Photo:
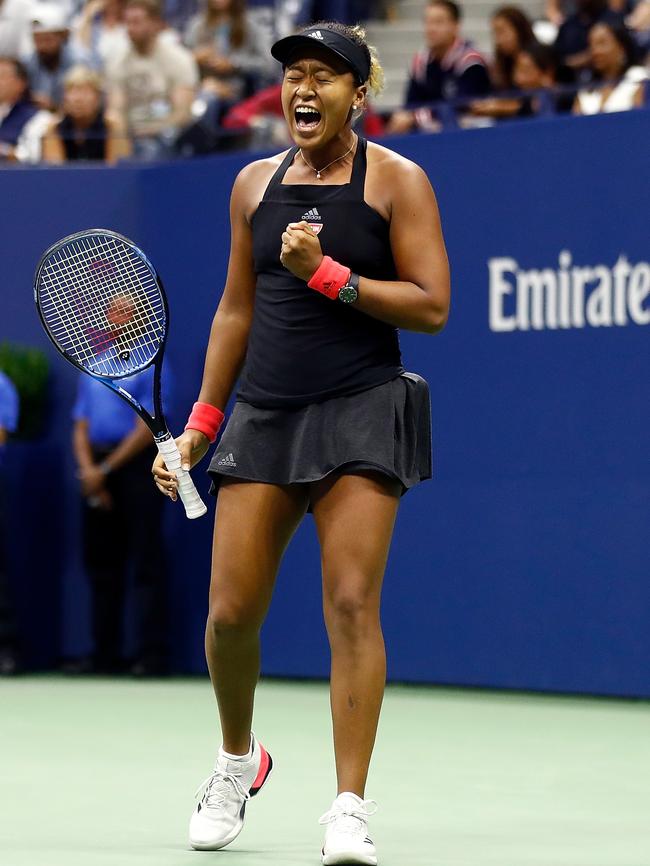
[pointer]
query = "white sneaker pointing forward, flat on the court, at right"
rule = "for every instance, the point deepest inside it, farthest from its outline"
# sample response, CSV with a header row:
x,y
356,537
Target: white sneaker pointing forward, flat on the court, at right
x,y
346,837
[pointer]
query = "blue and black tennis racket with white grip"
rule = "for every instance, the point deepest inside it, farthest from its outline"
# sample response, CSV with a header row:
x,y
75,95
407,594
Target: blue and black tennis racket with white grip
x,y
103,306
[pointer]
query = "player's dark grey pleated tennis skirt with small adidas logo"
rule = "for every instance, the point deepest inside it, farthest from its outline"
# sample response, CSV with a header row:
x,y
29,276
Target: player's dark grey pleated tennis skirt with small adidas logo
x,y
386,428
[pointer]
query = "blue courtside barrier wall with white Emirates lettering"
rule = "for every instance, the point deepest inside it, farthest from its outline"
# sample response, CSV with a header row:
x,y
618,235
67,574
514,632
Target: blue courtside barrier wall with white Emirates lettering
x,y
524,563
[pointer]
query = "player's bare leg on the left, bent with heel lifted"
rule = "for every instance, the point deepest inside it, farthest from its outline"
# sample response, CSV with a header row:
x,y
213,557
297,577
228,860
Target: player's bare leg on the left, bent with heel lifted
x,y
253,525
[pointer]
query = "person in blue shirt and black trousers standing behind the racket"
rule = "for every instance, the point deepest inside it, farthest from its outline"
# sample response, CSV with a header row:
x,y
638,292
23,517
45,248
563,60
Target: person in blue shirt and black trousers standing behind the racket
x,y
122,514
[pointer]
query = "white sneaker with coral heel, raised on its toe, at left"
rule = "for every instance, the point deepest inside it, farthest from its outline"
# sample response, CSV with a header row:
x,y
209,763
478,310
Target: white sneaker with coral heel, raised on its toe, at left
x,y
219,816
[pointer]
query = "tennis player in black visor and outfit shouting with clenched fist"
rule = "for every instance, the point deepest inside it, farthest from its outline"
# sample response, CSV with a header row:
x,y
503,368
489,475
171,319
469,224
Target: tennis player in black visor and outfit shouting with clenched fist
x,y
335,245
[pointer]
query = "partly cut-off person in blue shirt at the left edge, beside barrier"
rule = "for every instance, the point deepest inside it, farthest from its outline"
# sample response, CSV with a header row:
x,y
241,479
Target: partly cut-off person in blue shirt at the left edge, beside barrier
x,y
9,650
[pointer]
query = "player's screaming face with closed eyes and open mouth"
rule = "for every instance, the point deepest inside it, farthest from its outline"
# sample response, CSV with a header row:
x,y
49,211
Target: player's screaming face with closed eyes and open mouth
x,y
318,92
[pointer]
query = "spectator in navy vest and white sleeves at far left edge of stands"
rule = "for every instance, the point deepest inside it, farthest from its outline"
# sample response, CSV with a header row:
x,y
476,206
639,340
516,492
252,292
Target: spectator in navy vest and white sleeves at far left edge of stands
x,y
22,123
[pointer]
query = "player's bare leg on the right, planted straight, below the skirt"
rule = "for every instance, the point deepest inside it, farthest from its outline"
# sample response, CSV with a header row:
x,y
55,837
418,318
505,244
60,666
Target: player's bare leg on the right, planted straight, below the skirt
x,y
355,515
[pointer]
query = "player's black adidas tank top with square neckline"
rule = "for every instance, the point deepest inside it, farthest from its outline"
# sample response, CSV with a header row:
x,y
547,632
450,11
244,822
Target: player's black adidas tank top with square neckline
x,y
303,347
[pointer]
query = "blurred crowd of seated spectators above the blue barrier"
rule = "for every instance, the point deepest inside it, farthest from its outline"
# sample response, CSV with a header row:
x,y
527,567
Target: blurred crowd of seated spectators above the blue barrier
x,y
149,79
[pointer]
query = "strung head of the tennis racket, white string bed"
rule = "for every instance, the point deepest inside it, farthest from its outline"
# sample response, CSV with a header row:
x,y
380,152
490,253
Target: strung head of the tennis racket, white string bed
x,y
82,285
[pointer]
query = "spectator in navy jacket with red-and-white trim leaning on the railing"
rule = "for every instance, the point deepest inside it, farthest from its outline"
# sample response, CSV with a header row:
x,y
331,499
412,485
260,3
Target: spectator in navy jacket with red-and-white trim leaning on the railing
x,y
449,68
